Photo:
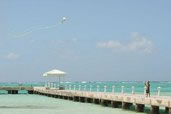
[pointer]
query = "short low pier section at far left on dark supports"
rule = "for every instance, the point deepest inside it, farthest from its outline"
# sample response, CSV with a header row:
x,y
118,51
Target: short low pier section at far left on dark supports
x,y
14,90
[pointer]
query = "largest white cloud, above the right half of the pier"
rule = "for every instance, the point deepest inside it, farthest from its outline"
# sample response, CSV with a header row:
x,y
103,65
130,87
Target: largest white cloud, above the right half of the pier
x,y
139,43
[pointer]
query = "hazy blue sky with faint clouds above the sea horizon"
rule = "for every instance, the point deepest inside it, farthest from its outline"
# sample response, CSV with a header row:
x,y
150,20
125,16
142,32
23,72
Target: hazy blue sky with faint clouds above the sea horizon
x,y
113,40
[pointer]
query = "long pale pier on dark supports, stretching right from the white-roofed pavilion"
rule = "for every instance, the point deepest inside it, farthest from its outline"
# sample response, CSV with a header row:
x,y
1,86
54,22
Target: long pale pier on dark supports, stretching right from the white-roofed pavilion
x,y
114,100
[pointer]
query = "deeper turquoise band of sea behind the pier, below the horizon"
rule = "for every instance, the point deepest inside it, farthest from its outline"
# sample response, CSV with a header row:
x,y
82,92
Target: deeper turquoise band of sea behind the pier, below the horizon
x,y
165,87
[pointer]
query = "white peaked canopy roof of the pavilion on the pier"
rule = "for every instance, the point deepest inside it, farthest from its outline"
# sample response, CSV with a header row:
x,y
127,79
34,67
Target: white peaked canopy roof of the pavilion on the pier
x,y
54,73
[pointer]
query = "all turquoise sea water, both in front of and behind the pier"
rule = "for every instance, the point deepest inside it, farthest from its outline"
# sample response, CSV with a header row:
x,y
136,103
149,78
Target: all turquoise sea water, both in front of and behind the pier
x,y
35,104
